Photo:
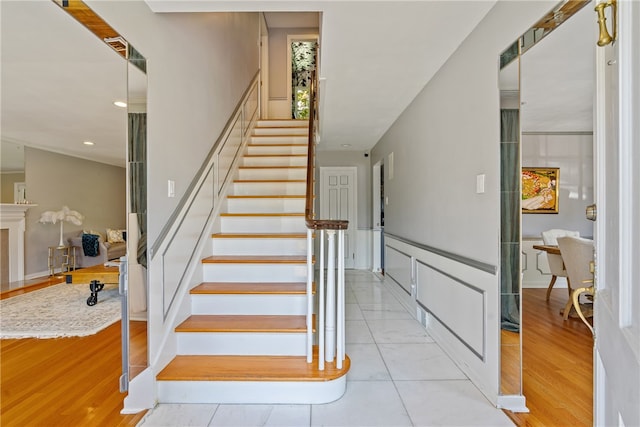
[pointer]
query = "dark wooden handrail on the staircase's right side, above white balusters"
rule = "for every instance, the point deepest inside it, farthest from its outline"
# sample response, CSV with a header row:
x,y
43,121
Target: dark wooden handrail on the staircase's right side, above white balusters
x,y
310,221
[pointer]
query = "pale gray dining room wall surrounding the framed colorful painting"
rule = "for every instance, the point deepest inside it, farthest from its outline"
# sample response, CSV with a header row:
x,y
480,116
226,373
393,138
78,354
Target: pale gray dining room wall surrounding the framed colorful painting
x,y
573,154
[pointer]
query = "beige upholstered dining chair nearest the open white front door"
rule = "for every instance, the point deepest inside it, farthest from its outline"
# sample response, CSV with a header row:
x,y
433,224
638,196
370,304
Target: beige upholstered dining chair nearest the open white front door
x,y
578,256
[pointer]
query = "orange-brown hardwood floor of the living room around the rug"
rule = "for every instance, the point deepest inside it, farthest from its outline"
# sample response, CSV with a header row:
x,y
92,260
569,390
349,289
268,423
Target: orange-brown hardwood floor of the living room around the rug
x,y
63,382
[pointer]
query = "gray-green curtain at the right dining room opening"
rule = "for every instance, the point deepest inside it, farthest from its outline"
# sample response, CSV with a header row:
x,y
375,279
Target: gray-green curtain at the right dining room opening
x,y
510,270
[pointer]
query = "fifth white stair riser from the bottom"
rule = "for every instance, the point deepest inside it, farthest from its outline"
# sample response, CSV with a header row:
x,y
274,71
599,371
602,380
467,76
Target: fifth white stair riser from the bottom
x,y
259,246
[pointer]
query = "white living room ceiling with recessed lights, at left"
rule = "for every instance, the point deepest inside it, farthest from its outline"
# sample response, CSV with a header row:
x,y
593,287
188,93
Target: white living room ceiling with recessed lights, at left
x,y
59,82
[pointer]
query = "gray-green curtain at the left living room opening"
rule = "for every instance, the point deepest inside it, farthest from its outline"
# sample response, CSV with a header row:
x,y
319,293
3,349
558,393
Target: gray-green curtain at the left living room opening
x,y
138,178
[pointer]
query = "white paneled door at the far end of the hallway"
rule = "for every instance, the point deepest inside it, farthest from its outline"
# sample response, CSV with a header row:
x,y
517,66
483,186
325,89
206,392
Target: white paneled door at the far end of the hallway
x,y
338,200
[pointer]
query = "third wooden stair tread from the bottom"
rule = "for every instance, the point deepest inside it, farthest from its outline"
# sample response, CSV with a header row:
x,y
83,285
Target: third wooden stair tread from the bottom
x,y
250,288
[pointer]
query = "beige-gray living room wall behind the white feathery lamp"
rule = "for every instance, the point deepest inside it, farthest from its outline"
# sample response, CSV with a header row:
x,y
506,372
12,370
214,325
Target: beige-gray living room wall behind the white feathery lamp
x,y
96,190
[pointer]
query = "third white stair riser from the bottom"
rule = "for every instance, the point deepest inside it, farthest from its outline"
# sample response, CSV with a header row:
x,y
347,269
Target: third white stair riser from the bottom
x,y
250,304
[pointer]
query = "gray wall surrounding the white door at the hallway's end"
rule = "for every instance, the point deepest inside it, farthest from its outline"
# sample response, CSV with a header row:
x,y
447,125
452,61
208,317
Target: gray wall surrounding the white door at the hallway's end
x,y
357,159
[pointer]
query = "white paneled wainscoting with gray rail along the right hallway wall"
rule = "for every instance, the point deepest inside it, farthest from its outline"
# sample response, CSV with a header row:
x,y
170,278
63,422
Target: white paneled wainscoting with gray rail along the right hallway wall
x,y
457,299
